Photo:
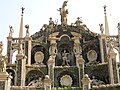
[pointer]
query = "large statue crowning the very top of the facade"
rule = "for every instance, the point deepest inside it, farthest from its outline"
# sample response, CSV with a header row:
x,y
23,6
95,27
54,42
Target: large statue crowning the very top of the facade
x,y
63,13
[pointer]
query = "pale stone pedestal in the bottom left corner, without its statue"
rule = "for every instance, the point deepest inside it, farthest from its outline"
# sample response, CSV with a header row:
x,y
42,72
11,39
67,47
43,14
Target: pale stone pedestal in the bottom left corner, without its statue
x,y
5,81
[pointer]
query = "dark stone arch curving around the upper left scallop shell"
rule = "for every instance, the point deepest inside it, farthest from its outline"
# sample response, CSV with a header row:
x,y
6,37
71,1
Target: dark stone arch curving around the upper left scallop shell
x,y
43,50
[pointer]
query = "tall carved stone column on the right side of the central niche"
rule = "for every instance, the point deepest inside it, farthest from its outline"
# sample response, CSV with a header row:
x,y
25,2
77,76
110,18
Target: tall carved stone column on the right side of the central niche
x,y
78,54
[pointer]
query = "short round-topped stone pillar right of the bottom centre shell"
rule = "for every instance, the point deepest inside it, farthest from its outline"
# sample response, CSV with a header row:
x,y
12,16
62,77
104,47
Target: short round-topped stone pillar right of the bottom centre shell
x,y
86,82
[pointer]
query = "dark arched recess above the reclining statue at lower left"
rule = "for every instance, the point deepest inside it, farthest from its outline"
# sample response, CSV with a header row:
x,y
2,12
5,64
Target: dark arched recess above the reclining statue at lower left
x,y
34,75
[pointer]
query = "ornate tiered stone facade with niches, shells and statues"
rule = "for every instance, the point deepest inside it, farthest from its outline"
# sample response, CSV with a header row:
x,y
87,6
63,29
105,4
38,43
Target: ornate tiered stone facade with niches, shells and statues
x,y
62,55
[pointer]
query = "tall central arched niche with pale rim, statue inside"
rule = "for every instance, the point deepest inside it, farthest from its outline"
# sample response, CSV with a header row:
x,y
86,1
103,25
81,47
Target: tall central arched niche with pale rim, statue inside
x,y
65,54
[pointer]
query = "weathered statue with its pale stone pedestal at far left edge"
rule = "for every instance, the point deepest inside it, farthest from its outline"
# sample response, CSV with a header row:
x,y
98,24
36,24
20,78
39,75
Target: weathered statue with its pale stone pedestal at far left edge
x,y
5,78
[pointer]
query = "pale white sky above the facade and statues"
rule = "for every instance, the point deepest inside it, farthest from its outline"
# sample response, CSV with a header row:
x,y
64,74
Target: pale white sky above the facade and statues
x,y
38,12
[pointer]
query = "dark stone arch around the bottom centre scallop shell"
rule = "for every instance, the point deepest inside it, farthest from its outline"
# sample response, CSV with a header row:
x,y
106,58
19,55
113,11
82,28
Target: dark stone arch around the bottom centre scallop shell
x,y
69,73
